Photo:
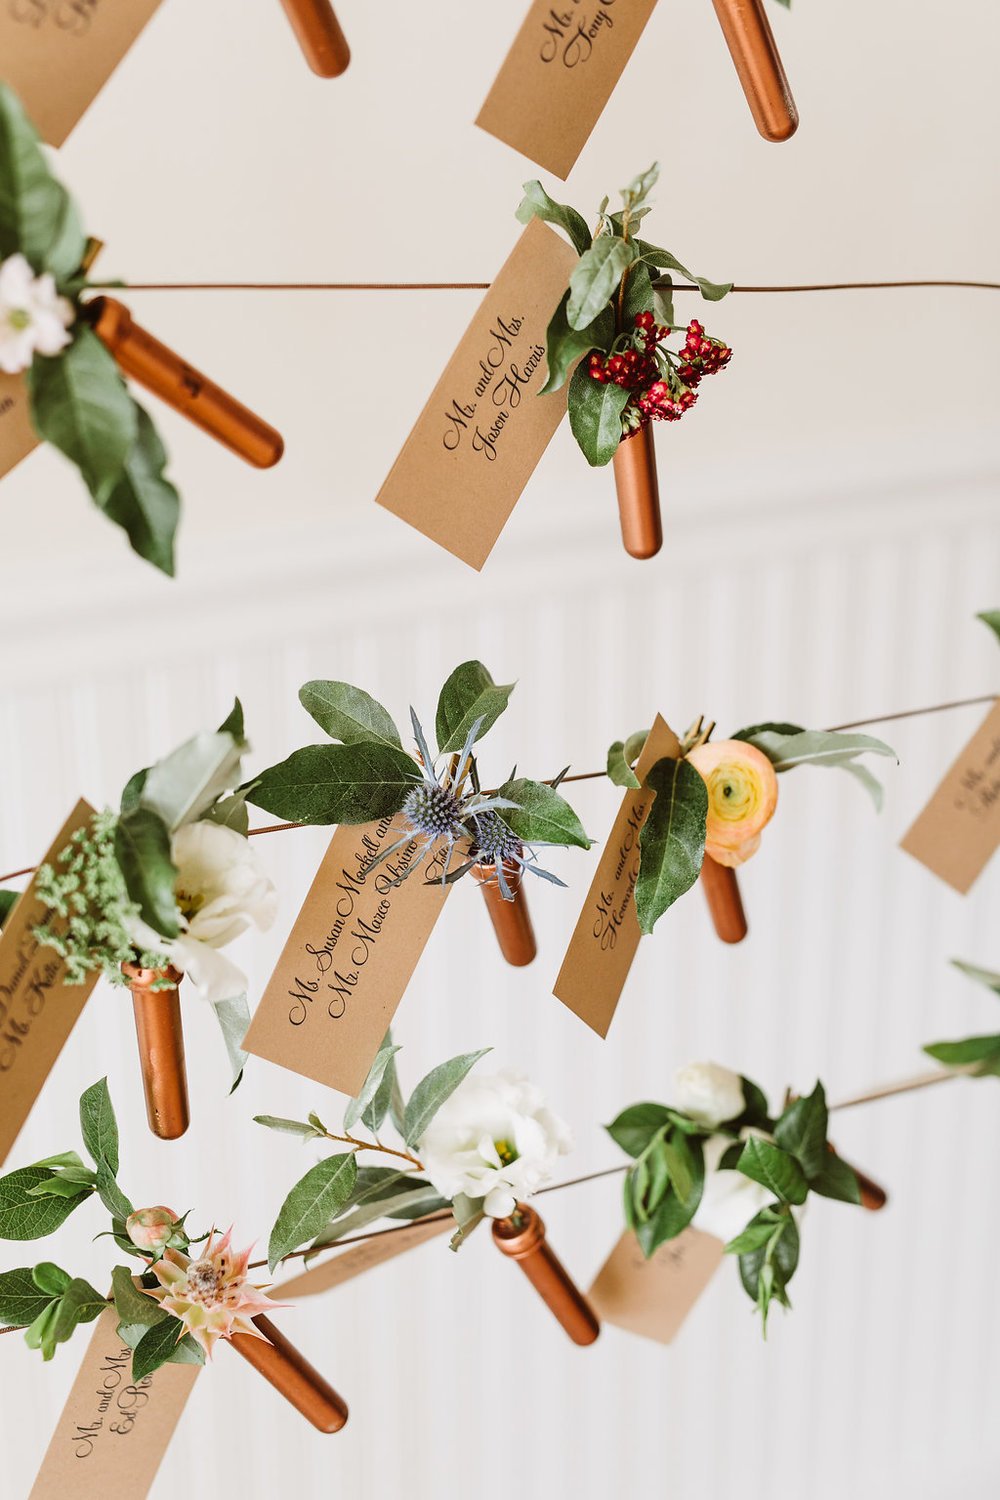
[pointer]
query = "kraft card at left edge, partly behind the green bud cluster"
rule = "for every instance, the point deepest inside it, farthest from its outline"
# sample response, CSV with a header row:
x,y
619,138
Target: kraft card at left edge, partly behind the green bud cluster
x,y
38,1010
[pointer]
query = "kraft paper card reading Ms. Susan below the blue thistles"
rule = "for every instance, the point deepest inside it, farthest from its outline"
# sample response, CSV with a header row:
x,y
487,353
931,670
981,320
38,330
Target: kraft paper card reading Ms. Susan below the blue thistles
x,y
349,959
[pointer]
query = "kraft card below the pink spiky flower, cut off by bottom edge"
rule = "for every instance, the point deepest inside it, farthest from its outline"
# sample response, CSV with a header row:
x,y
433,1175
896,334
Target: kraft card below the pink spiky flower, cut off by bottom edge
x,y
113,1433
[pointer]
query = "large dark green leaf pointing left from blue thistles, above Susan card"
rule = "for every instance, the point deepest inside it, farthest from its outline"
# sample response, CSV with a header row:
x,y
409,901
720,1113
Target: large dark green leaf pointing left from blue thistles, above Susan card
x,y
337,784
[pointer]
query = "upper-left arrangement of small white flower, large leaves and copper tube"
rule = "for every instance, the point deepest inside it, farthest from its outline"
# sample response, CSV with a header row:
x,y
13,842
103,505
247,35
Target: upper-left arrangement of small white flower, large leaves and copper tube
x,y
74,349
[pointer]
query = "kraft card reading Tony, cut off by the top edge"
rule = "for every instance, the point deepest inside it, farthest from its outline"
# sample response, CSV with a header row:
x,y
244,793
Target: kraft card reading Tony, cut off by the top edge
x,y
560,74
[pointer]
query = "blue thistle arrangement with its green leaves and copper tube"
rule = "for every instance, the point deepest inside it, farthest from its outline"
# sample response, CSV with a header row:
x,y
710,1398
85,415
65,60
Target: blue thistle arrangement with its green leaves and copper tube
x,y
457,827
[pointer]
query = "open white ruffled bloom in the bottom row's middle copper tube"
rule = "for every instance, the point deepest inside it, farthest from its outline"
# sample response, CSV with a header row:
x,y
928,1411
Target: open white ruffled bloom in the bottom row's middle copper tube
x,y
494,1139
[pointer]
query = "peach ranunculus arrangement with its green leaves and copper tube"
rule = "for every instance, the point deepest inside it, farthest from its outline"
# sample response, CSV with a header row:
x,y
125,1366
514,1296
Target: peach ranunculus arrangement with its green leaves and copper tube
x,y
713,805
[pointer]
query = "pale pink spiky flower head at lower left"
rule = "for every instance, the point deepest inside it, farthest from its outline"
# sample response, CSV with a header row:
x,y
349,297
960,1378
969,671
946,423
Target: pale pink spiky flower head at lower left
x,y
211,1297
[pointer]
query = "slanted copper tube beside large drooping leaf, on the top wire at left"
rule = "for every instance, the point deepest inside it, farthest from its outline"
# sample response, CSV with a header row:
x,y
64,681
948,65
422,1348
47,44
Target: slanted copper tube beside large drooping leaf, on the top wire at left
x,y
184,388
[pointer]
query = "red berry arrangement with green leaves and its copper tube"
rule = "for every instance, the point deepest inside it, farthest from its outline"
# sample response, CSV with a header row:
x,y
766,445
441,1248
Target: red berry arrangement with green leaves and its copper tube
x,y
612,329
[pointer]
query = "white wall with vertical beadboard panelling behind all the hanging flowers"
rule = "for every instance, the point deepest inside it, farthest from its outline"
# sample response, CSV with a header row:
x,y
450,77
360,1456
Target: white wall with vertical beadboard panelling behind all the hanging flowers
x,y
831,515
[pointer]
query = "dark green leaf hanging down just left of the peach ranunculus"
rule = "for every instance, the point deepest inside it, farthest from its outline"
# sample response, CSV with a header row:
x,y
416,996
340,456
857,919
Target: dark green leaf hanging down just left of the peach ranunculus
x,y
672,839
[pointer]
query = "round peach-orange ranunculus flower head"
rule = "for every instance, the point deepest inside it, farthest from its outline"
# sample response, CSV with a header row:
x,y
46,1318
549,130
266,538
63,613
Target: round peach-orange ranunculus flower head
x,y
743,794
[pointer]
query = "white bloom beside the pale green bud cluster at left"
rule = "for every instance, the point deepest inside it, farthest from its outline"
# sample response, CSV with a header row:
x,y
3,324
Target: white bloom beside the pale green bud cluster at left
x,y
221,893
